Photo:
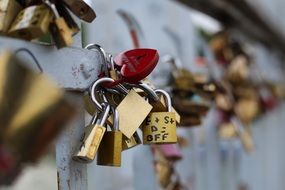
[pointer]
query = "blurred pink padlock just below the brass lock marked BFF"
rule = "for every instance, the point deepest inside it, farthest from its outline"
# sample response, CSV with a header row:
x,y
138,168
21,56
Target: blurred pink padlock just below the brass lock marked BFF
x,y
171,152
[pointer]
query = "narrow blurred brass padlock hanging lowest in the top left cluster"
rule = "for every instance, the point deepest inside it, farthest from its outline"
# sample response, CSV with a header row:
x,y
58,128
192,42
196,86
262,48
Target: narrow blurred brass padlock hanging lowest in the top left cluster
x,y
61,33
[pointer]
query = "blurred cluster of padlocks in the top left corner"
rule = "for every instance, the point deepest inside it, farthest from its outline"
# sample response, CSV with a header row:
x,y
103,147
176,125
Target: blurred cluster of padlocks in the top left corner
x,y
40,19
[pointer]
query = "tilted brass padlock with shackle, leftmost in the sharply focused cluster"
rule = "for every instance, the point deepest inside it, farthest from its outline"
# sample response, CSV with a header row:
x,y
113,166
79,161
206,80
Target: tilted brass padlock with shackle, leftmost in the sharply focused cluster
x,y
92,137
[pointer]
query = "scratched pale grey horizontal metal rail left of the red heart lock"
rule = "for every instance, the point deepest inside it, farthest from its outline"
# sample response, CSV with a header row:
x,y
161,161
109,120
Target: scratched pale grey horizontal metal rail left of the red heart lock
x,y
72,68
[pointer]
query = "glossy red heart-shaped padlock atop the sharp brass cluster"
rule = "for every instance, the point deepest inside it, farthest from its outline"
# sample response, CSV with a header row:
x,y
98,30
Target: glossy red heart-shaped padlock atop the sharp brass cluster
x,y
136,64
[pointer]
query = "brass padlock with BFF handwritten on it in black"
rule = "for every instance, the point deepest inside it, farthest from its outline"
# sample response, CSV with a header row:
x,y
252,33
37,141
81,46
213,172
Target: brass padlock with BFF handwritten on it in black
x,y
160,127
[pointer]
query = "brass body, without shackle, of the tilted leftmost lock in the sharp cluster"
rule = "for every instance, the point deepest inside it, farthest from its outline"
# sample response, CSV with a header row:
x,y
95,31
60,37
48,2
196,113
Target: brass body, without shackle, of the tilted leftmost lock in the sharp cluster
x,y
92,137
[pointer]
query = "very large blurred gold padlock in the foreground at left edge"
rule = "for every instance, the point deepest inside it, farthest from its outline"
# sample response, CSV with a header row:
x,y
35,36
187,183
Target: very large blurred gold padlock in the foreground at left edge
x,y
37,109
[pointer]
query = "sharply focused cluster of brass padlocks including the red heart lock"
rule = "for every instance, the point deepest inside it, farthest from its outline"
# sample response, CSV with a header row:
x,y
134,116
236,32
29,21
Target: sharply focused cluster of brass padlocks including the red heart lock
x,y
121,101
